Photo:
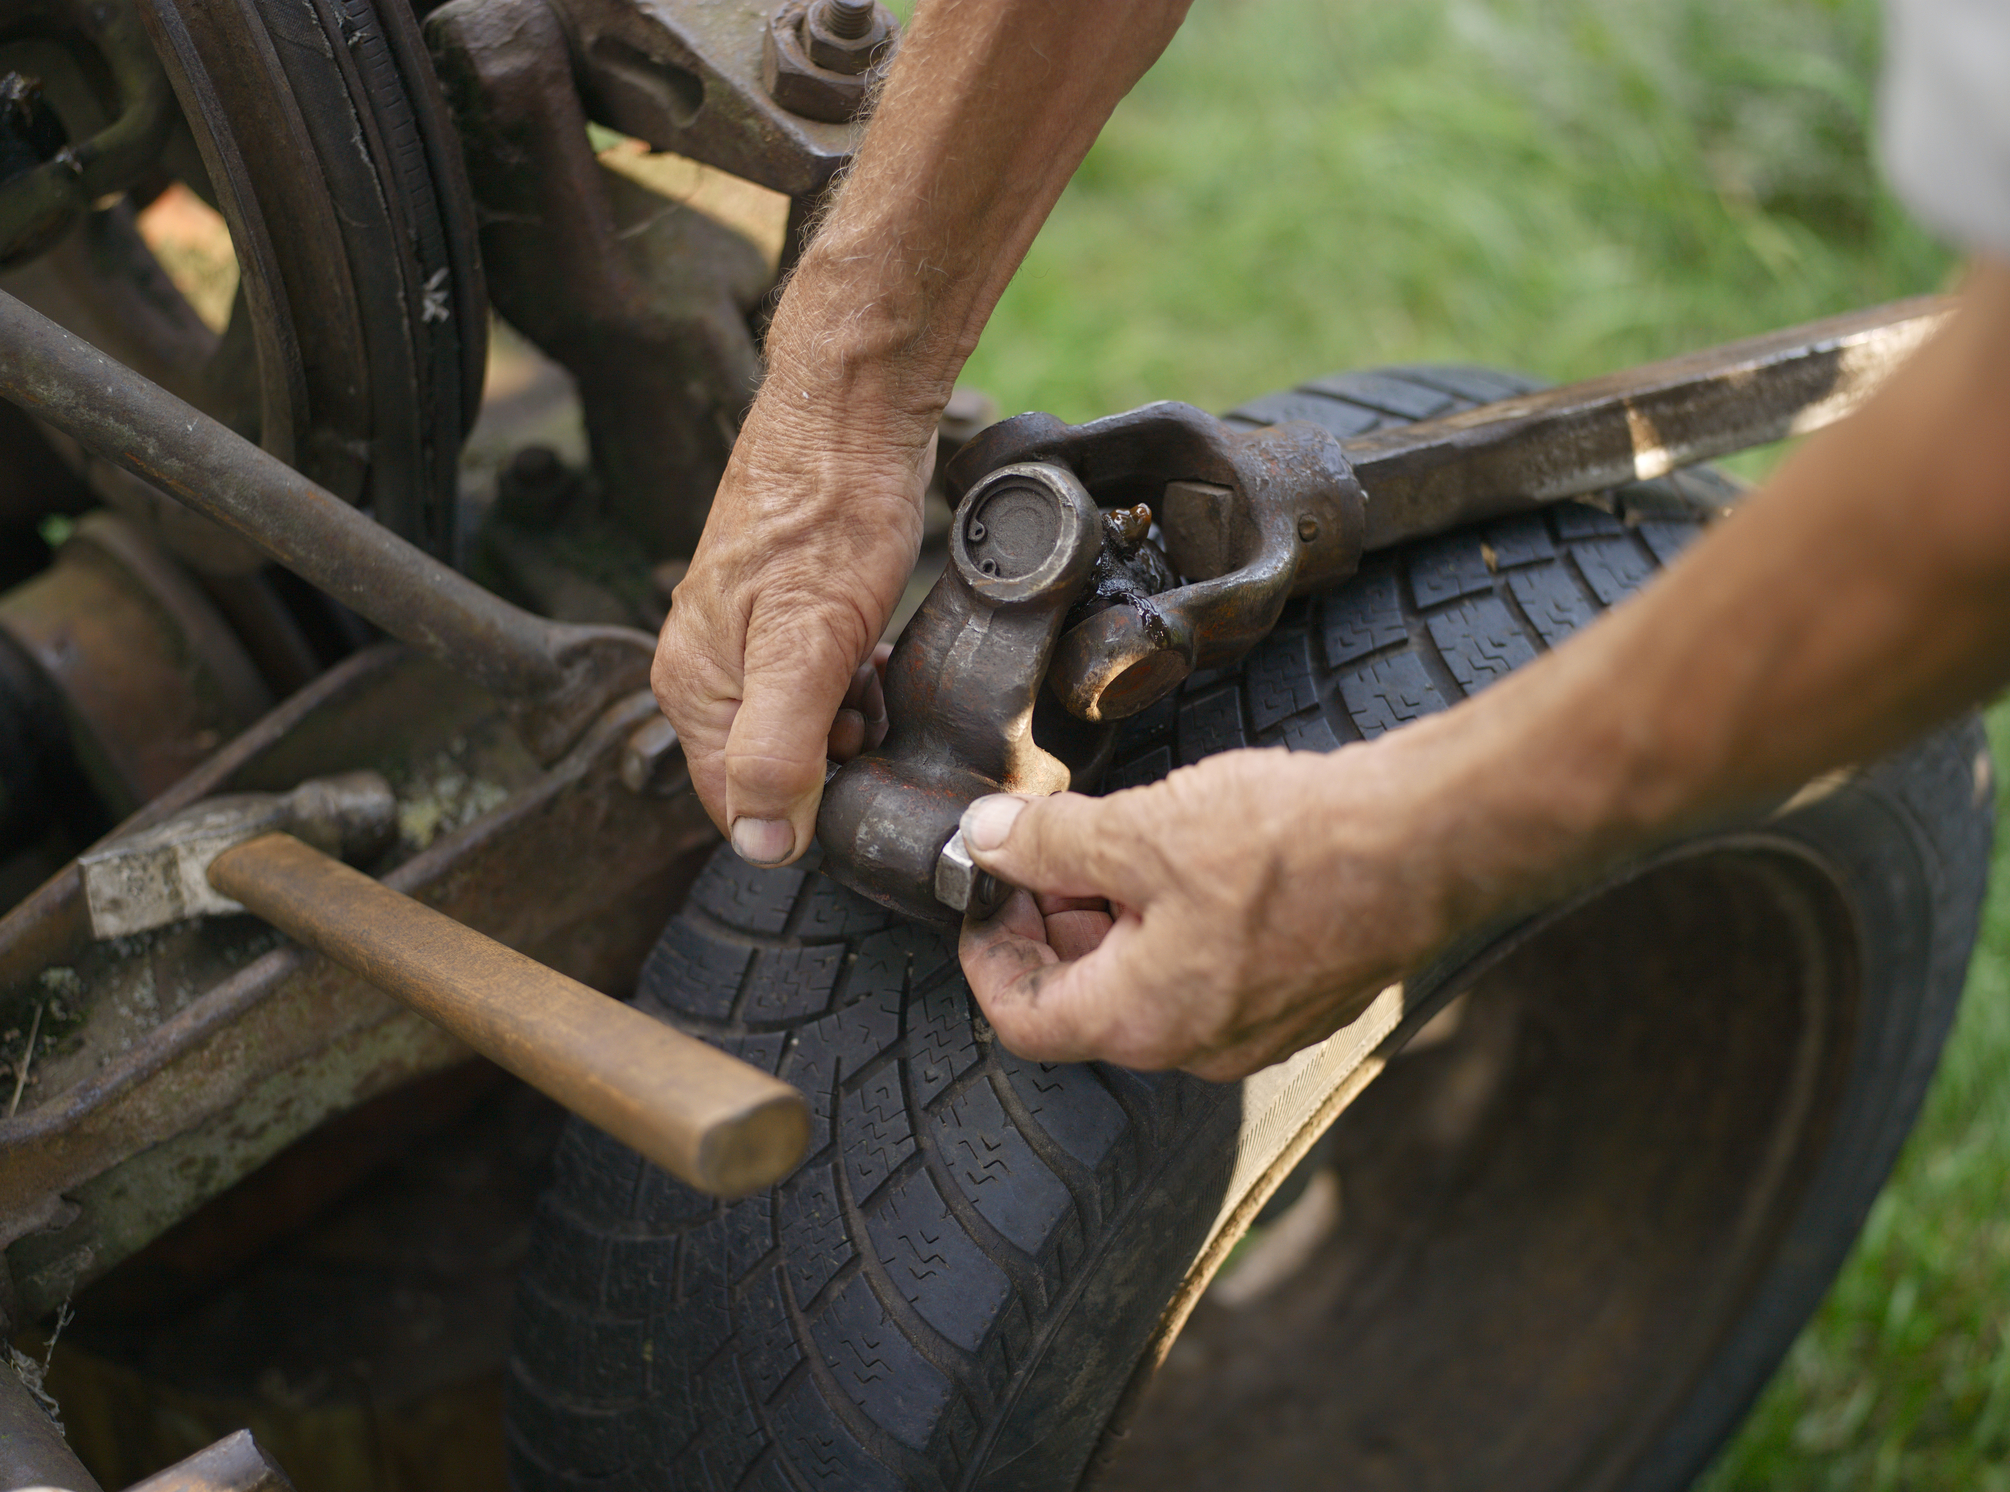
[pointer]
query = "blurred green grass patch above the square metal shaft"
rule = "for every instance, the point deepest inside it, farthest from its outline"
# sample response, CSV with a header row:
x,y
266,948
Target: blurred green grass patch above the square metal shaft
x,y
1567,188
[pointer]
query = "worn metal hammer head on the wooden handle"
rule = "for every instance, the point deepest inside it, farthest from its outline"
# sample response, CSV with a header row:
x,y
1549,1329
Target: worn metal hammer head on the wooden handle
x,y
160,876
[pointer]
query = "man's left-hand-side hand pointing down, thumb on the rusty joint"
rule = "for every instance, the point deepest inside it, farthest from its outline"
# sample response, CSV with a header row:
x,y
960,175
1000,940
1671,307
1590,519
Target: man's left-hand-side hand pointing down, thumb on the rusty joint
x,y
767,663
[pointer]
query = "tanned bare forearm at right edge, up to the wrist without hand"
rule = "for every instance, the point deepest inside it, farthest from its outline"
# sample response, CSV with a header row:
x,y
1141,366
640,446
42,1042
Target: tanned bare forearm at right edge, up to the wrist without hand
x,y
1858,600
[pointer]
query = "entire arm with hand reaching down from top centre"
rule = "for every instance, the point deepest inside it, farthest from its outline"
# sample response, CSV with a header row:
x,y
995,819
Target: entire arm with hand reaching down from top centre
x,y
813,532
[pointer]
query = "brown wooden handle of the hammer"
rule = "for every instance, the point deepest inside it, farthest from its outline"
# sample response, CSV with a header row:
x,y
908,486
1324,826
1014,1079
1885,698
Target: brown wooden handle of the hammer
x,y
702,1115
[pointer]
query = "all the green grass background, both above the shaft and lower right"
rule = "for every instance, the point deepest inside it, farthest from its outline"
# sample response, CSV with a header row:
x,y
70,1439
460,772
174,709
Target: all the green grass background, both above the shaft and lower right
x,y
1567,188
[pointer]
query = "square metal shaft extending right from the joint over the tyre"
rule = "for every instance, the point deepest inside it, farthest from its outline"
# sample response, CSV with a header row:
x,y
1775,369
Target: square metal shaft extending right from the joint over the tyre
x,y
1631,425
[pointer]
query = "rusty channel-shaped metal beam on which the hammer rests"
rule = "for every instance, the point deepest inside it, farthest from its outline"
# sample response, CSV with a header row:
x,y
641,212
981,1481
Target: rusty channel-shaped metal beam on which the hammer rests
x,y
264,1043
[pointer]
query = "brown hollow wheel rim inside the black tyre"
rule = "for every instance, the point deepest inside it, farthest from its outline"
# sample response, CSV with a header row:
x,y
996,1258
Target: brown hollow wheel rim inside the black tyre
x,y
1553,1220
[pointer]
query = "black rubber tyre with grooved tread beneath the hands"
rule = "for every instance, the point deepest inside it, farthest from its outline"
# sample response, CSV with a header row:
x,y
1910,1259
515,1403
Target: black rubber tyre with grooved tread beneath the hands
x,y
980,1252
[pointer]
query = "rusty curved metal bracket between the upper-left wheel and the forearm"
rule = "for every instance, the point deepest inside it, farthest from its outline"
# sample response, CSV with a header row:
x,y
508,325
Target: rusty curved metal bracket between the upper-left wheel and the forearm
x,y
650,315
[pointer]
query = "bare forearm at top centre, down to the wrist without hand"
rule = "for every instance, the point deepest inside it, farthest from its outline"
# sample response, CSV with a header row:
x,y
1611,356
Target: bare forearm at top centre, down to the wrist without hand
x,y
986,116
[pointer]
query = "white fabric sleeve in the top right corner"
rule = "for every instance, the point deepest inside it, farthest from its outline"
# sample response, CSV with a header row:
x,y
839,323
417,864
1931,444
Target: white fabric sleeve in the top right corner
x,y
1945,118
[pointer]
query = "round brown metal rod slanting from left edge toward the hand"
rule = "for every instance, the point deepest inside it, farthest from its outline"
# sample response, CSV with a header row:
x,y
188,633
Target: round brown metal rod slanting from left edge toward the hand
x,y
560,677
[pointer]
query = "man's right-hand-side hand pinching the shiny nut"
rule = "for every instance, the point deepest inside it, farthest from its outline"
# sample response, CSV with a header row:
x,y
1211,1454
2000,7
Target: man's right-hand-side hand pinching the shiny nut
x,y
1255,904
